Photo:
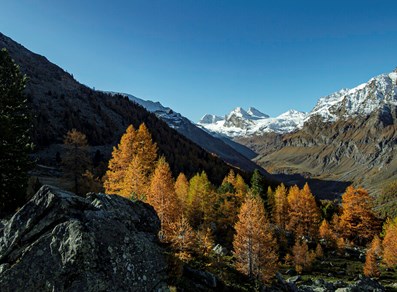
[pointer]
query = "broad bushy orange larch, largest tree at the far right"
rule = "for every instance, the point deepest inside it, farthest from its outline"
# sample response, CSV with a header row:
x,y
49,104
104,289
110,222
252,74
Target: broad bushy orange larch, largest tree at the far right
x,y
358,221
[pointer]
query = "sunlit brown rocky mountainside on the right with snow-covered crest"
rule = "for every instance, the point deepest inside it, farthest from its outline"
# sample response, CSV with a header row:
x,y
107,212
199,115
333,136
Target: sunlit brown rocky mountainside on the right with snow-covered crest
x,y
348,136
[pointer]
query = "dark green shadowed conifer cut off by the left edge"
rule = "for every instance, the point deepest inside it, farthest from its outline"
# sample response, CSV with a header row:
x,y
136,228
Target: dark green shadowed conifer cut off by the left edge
x,y
15,140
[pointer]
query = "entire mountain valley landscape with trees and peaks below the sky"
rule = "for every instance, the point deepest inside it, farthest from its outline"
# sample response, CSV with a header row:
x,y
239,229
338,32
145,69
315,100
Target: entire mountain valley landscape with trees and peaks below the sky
x,y
127,194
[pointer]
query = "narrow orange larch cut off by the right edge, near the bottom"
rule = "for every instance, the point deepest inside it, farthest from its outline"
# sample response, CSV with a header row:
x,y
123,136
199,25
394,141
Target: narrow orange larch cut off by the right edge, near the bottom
x,y
390,244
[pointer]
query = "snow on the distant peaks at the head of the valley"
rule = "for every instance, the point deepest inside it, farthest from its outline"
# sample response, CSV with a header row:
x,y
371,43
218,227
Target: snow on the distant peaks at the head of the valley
x,y
244,123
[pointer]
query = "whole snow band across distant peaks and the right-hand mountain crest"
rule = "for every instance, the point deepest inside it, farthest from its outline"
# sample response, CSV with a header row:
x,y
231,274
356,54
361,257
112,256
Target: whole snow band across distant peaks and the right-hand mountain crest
x,y
377,93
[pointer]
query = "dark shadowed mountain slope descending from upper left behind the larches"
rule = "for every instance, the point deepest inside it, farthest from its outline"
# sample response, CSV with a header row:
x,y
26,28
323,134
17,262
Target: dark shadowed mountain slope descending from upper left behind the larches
x,y
60,103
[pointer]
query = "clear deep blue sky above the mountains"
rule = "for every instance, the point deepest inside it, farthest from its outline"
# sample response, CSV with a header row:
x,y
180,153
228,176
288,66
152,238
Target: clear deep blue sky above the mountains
x,y
210,56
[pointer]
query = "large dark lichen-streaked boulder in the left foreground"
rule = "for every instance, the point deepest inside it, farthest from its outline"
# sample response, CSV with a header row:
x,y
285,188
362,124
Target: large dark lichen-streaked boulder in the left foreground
x,y
61,242
